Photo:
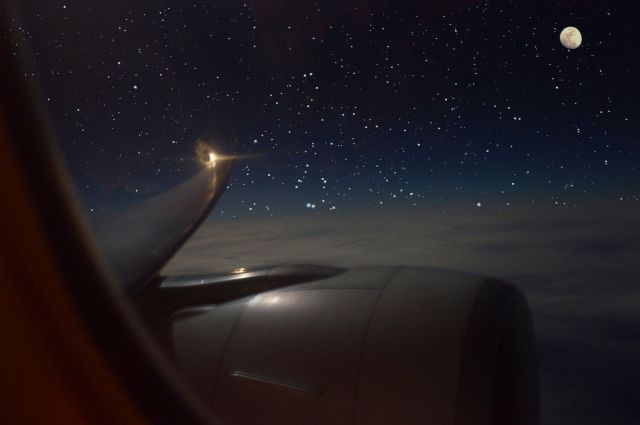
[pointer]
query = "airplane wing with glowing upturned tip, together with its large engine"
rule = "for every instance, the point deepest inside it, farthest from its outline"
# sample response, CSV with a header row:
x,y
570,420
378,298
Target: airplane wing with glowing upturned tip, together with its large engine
x,y
311,344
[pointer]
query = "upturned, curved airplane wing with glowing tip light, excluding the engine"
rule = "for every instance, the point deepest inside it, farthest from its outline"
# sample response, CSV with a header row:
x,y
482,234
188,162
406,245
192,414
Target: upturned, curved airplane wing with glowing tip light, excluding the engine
x,y
139,241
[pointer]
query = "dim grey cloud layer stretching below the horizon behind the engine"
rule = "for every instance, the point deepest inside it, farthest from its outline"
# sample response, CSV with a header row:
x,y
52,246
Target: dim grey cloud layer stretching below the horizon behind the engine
x,y
579,270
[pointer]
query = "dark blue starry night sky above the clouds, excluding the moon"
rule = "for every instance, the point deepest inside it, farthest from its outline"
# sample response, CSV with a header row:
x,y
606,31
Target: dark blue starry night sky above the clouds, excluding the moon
x,y
344,105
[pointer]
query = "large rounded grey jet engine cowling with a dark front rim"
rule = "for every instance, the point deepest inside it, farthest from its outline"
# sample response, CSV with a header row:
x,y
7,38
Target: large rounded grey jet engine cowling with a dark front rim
x,y
368,346
